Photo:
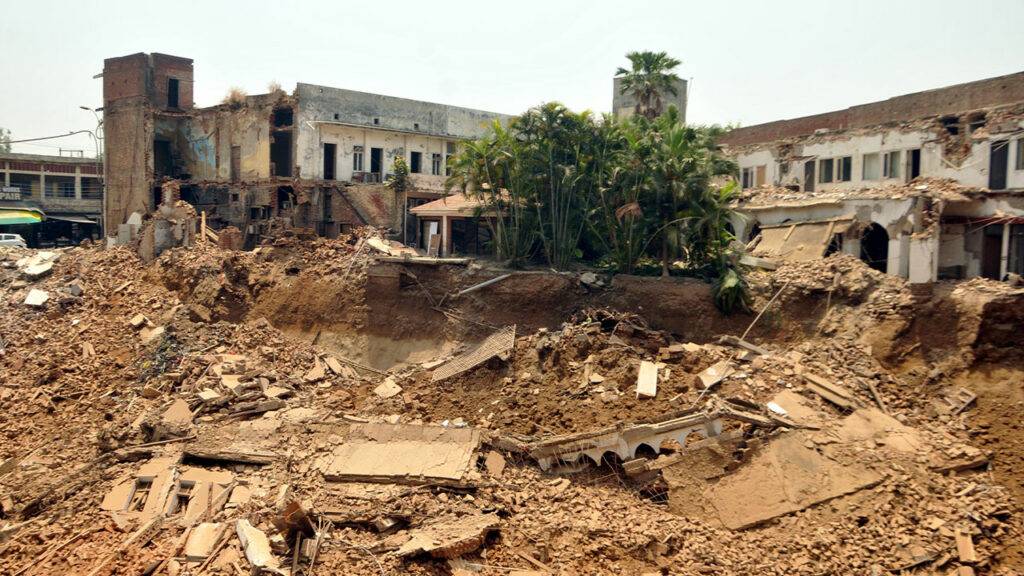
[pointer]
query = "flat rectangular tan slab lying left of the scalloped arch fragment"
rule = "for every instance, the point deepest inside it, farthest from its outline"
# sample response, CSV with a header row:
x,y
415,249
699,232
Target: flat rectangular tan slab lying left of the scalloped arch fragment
x,y
406,454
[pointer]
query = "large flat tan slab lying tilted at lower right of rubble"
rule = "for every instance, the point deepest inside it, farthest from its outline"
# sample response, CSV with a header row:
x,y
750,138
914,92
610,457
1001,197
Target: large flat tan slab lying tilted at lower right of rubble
x,y
784,478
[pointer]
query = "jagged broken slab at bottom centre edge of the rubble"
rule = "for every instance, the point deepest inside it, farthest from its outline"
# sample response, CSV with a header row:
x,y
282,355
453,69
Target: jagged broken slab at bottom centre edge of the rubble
x,y
451,538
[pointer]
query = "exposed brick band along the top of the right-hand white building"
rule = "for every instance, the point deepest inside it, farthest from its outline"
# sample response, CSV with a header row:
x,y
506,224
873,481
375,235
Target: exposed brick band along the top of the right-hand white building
x,y
952,100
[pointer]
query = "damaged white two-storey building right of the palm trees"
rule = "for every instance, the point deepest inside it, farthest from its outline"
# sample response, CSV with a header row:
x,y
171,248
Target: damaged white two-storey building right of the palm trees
x,y
926,186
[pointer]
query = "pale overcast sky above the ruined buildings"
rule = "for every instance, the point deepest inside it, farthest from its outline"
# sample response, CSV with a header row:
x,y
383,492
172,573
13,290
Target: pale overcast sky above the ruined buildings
x,y
750,62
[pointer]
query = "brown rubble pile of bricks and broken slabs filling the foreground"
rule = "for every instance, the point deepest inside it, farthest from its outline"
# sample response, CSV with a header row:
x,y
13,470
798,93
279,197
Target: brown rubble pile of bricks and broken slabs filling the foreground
x,y
161,419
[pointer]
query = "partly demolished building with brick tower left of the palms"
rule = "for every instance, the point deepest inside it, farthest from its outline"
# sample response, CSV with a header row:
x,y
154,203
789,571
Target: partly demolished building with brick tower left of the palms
x,y
316,160
